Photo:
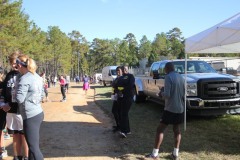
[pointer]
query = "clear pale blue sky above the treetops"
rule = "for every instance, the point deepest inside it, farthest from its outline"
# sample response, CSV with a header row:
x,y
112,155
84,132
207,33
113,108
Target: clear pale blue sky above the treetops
x,y
109,19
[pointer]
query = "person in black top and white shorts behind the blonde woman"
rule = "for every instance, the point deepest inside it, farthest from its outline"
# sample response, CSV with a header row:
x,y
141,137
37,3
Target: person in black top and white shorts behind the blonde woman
x,y
14,120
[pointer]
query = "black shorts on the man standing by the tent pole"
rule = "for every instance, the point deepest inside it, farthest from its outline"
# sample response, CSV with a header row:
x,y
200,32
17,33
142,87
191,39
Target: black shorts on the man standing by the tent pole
x,y
172,118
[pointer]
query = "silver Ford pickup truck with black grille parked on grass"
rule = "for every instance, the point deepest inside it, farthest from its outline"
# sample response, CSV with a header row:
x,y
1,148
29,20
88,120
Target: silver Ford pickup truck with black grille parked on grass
x,y
208,92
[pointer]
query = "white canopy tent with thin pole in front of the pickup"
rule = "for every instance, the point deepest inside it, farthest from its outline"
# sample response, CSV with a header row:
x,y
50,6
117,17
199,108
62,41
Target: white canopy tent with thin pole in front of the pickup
x,y
221,38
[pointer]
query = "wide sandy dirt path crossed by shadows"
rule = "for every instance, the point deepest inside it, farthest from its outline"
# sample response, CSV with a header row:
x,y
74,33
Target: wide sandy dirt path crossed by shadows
x,y
74,130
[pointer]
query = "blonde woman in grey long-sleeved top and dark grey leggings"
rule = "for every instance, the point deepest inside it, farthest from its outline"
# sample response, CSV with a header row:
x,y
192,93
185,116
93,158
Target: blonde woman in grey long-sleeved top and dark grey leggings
x,y
29,97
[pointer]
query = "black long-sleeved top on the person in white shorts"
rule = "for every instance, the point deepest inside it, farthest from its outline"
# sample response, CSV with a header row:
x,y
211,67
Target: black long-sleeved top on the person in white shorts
x,y
9,84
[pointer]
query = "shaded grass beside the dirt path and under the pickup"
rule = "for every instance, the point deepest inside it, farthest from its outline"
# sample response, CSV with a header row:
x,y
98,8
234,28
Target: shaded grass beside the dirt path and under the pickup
x,y
206,138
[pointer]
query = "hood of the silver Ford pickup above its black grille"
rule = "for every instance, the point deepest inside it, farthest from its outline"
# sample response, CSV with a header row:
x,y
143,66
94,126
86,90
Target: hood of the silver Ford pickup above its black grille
x,y
196,76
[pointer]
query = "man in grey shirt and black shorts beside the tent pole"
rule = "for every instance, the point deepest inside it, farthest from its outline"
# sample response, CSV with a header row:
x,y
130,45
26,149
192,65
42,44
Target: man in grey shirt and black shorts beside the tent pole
x,y
174,94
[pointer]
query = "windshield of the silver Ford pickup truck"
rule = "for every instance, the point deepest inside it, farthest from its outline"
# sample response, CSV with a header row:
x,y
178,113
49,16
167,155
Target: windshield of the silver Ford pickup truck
x,y
193,67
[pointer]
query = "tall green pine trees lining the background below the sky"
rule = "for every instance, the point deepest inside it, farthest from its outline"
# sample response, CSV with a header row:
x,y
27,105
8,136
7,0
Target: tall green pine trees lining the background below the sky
x,y
56,52
